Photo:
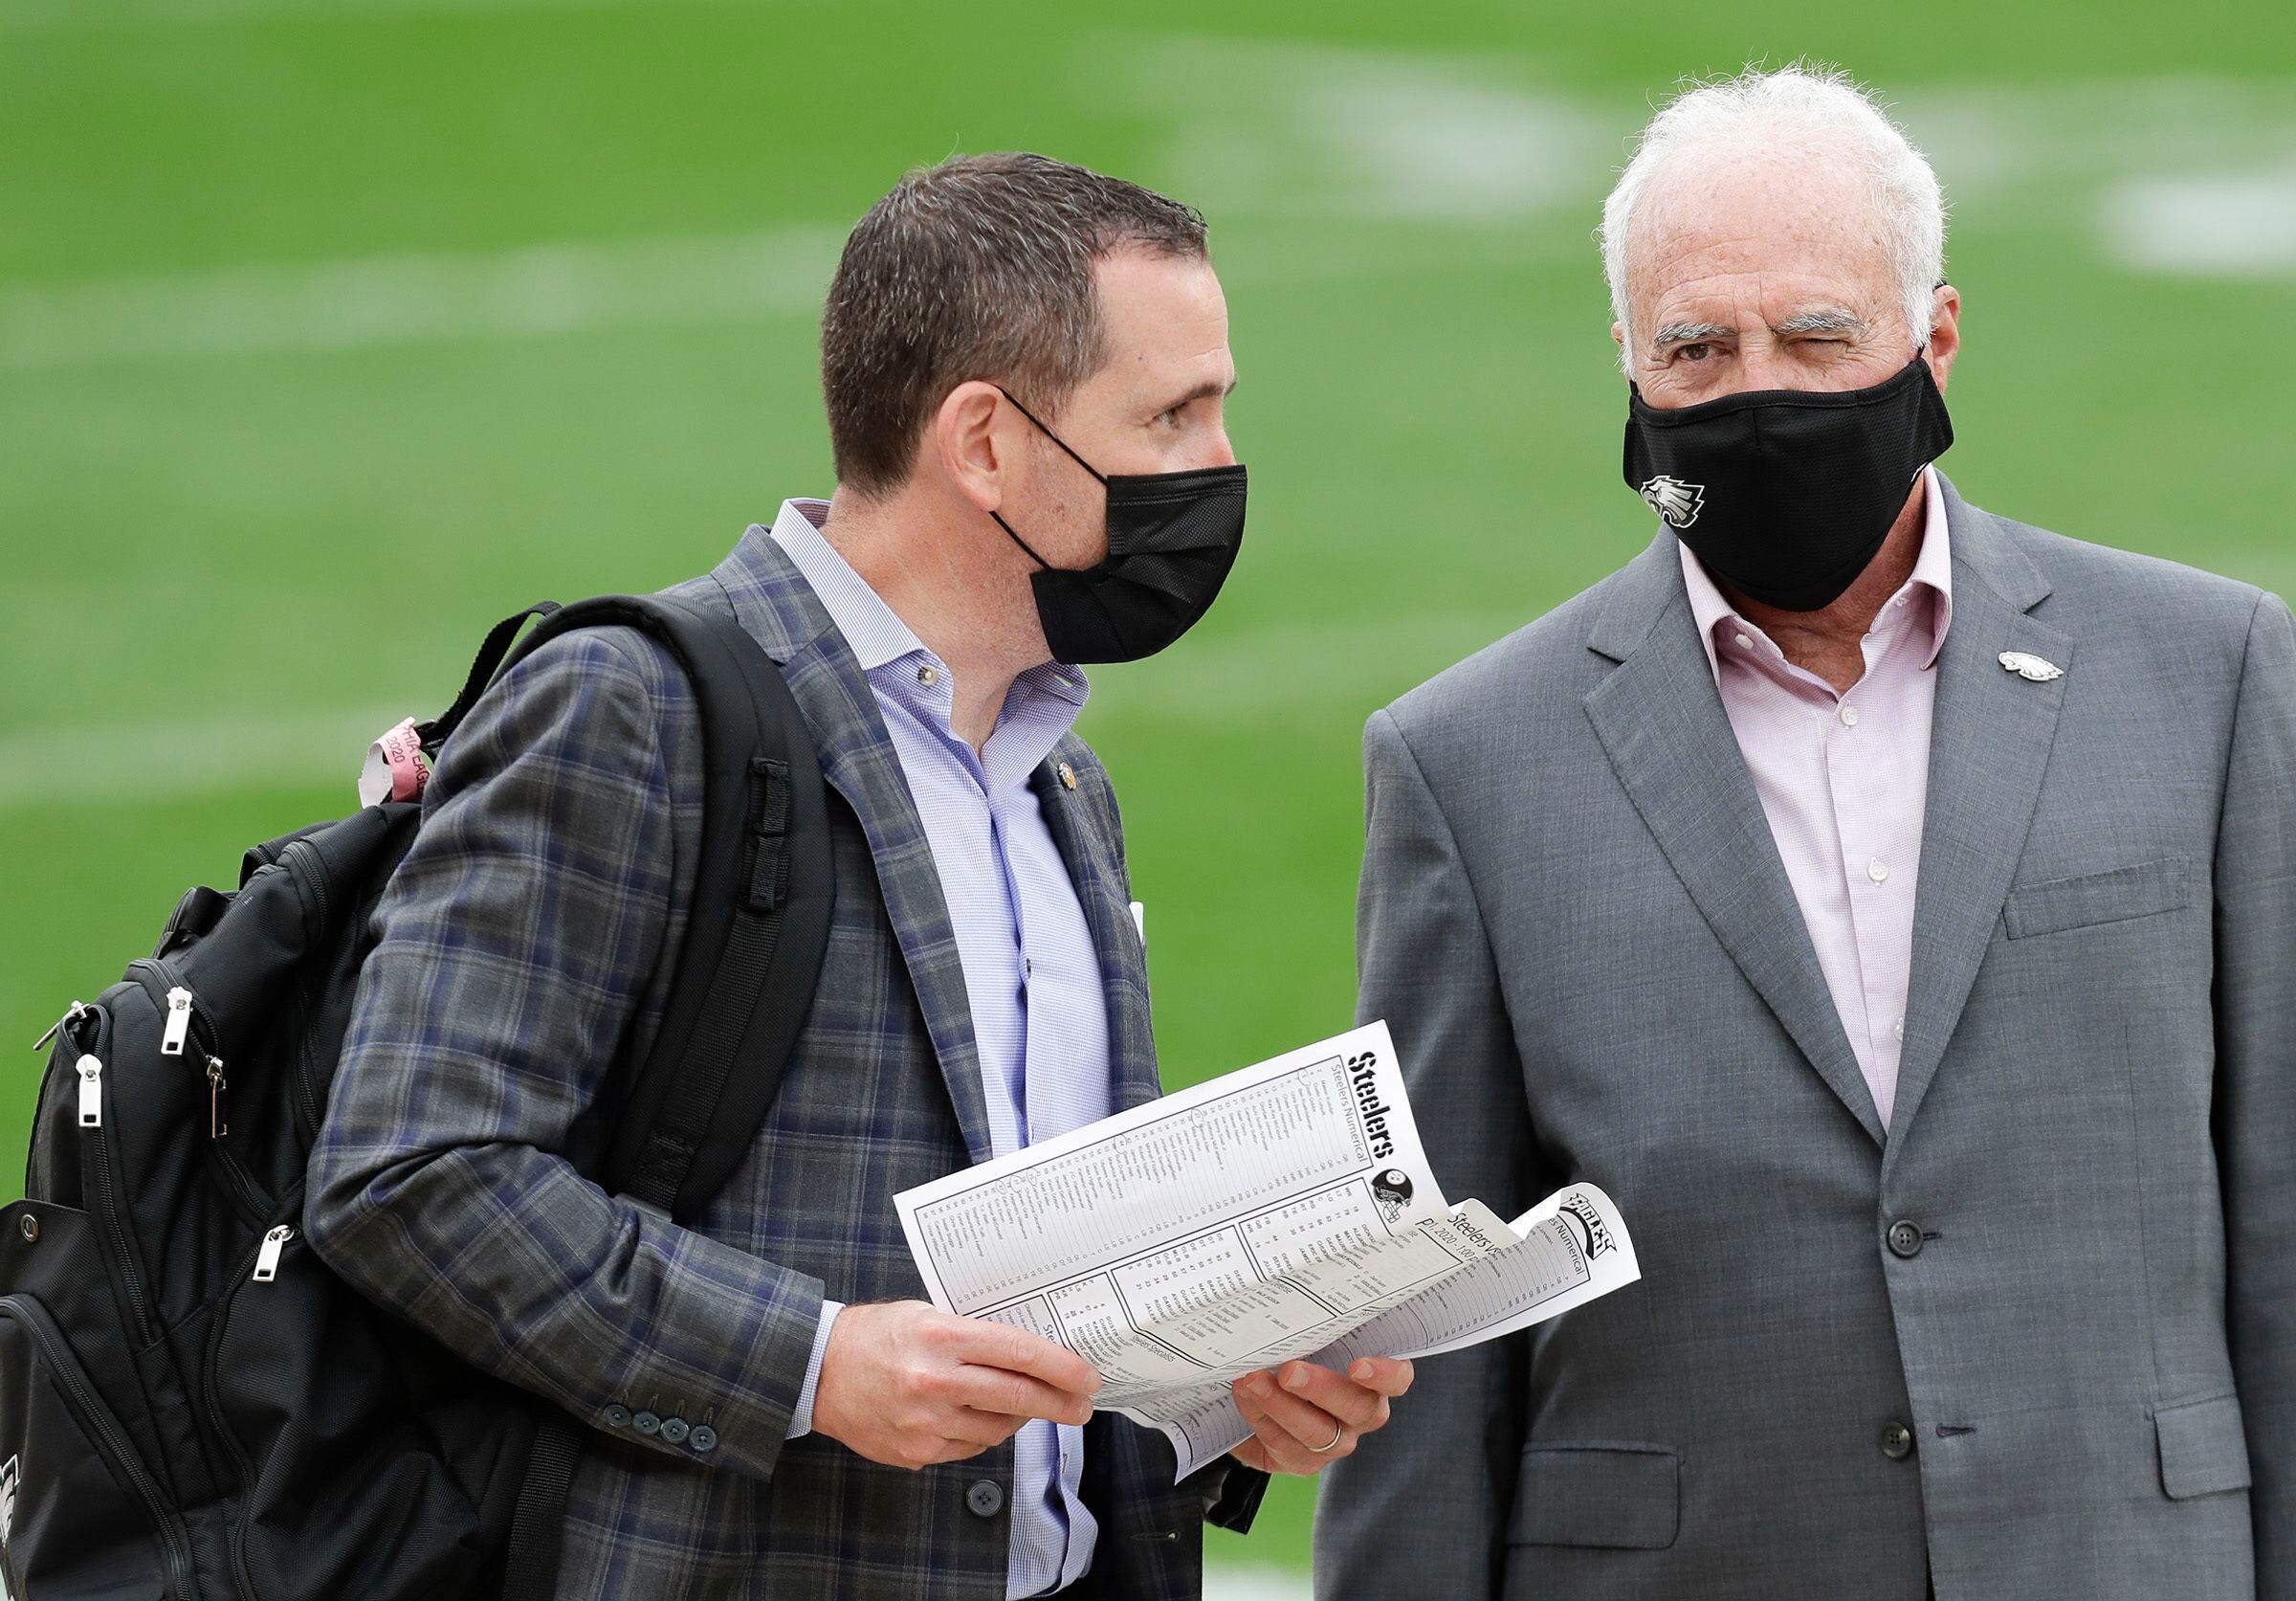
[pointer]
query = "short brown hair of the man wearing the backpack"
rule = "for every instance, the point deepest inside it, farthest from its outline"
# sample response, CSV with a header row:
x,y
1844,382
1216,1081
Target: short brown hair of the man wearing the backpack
x,y
975,270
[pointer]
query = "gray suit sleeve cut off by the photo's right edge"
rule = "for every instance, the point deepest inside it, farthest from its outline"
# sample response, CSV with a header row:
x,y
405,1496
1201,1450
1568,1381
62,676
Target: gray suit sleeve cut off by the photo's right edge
x,y
2256,1078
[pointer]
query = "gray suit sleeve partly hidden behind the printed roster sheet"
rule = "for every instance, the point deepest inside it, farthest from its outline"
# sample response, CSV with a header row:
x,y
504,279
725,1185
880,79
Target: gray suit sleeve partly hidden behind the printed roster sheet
x,y
1452,1446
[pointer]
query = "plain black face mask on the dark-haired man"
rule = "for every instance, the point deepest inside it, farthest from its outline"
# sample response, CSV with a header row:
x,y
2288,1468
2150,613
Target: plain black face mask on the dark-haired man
x,y
1172,543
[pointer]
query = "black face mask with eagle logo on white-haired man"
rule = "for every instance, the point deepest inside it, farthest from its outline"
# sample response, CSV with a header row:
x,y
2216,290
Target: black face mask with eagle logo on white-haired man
x,y
1787,493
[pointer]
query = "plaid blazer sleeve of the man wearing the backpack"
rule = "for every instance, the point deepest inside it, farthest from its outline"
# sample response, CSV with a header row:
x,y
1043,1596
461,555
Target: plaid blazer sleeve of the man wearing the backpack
x,y
513,952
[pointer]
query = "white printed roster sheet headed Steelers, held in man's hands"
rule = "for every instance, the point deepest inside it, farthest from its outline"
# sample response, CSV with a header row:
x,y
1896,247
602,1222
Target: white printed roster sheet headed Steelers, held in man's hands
x,y
1282,1212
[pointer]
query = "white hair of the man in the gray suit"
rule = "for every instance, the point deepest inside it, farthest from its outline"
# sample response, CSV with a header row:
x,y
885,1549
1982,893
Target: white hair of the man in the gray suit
x,y
1808,109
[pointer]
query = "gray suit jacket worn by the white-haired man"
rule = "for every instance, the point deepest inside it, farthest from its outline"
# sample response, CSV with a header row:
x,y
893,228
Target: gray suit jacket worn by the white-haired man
x,y
1595,966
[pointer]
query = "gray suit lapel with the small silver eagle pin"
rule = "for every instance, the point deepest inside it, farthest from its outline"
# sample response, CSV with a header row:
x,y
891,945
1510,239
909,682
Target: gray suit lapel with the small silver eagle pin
x,y
1987,755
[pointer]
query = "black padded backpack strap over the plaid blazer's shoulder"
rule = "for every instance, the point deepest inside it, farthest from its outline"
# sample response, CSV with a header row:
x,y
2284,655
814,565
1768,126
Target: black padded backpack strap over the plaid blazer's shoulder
x,y
752,954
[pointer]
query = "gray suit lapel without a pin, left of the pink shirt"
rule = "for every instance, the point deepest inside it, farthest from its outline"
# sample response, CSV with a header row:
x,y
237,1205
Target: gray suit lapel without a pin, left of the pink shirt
x,y
1661,722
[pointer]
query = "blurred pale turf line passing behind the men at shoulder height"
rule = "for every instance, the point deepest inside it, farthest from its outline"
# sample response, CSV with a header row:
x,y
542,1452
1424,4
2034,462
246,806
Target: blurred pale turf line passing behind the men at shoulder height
x,y
1317,667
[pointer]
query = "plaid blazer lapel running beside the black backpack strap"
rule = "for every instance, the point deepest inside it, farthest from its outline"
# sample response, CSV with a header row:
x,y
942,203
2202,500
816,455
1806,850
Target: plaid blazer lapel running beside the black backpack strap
x,y
773,601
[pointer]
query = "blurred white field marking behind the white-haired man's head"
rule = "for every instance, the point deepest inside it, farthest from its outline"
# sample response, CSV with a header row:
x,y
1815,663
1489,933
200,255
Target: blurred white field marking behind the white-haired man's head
x,y
2166,169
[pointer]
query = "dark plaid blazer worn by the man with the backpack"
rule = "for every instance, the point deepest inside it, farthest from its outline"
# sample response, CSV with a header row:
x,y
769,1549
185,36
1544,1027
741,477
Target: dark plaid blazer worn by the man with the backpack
x,y
522,961
